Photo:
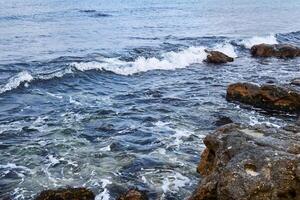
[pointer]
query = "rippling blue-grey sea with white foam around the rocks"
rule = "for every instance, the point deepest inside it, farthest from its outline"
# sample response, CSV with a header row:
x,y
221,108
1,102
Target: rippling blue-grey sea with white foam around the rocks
x,y
114,94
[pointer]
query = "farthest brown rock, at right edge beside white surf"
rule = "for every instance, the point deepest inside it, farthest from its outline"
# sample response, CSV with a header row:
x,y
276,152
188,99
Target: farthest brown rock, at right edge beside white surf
x,y
275,50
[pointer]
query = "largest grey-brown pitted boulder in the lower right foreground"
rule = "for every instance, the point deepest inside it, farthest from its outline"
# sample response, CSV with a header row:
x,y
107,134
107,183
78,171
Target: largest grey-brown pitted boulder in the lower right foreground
x,y
249,163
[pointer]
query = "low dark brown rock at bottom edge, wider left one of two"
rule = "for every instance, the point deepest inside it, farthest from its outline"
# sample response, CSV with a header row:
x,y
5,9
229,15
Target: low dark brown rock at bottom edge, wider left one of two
x,y
66,194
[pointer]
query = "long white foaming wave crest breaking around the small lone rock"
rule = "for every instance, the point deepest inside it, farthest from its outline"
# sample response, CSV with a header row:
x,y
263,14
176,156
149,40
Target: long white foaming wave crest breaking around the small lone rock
x,y
168,61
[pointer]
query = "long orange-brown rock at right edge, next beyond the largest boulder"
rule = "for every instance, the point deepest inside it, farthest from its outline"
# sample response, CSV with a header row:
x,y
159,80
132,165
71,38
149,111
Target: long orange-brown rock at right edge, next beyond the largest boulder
x,y
268,97
